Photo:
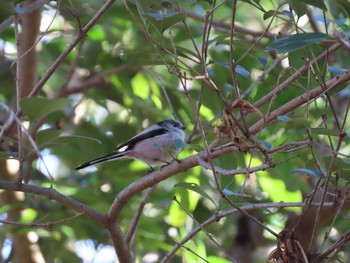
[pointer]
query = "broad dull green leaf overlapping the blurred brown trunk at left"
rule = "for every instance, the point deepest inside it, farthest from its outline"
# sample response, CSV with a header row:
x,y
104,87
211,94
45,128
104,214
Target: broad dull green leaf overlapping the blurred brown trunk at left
x,y
38,107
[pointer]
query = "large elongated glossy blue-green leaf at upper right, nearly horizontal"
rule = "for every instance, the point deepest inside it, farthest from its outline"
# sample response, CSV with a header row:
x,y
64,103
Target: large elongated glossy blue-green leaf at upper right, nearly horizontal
x,y
294,42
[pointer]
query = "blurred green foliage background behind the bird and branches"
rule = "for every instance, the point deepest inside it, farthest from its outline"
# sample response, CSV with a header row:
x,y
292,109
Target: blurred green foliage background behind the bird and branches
x,y
140,63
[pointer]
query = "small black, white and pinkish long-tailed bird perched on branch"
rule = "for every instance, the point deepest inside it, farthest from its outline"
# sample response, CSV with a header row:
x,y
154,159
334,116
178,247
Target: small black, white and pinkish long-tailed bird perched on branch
x,y
158,144
